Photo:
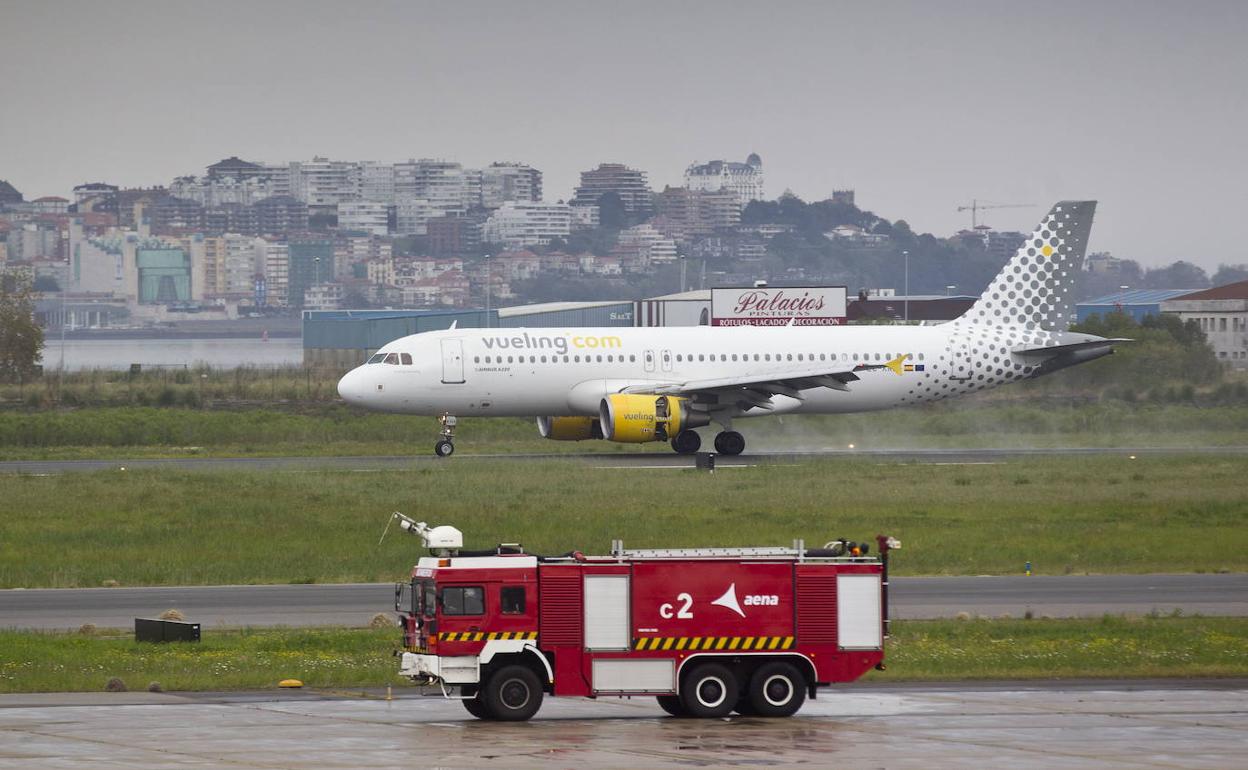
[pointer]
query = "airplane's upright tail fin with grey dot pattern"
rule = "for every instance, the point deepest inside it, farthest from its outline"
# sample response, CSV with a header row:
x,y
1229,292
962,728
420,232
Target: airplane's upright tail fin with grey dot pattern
x,y
1035,288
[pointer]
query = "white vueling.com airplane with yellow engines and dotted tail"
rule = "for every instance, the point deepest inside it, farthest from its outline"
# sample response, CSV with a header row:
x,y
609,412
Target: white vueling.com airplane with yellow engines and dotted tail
x,y
661,384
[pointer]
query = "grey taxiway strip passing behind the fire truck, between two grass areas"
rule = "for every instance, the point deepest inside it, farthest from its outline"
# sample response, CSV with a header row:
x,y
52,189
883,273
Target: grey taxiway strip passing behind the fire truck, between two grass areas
x,y
356,603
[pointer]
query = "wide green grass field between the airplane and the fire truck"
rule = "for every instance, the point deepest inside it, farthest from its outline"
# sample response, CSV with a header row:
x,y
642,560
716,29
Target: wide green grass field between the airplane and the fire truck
x,y
1076,515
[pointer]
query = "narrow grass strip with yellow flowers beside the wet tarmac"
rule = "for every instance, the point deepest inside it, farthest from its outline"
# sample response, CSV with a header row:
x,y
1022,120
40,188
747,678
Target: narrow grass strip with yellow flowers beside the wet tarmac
x,y
359,658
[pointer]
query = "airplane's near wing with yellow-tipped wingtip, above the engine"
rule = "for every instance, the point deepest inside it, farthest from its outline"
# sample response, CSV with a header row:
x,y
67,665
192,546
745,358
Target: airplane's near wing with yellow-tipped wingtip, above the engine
x,y
758,390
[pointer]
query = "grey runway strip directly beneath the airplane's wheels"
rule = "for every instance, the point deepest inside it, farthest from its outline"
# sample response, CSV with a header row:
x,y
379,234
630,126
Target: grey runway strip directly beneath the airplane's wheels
x,y
602,460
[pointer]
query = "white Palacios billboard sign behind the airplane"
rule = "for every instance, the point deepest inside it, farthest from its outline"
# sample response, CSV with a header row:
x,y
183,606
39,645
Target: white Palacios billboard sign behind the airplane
x,y
778,306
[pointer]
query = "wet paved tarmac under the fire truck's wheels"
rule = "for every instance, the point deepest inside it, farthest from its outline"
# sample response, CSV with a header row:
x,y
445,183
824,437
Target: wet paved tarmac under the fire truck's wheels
x,y
1070,726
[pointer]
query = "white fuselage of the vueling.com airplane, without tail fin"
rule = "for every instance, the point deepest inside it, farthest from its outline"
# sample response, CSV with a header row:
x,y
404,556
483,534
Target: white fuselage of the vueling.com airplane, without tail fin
x,y
567,373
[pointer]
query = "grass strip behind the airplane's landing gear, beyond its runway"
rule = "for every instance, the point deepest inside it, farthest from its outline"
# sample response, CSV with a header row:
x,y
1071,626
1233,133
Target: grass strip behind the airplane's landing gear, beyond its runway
x,y
335,430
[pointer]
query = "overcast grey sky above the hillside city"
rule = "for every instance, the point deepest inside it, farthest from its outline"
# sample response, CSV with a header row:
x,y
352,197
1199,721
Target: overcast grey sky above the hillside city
x,y
919,107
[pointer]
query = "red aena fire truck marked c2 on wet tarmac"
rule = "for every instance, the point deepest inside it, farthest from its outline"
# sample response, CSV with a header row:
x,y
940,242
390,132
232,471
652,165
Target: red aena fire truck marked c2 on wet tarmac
x,y
704,631
